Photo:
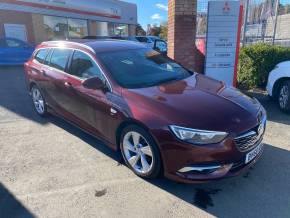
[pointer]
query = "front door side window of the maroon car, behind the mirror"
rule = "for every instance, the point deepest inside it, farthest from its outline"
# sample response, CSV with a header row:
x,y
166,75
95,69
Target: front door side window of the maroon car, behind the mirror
x,y
84,67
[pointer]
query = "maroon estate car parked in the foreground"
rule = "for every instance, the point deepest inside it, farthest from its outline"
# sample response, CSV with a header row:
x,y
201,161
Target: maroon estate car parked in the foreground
x,y
163,118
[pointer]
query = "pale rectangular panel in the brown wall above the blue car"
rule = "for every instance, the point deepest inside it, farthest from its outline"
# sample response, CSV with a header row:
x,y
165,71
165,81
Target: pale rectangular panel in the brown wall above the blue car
x,y
17,31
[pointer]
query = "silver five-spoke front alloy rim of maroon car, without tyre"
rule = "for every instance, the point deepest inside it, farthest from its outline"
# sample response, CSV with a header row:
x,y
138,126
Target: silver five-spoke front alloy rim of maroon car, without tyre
x,y
138,152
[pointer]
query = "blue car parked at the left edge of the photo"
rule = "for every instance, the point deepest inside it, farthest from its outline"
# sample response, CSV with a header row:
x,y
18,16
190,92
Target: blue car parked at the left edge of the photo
x,y
14,51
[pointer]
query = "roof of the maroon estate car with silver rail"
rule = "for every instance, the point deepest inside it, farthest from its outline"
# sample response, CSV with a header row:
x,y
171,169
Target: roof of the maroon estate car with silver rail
x,y
98,45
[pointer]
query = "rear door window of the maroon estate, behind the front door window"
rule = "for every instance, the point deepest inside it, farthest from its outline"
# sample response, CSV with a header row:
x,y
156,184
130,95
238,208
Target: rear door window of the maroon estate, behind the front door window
x,y
59,58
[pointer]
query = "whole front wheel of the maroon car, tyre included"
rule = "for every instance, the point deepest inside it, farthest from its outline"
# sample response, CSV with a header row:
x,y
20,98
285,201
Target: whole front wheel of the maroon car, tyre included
x,y
140,152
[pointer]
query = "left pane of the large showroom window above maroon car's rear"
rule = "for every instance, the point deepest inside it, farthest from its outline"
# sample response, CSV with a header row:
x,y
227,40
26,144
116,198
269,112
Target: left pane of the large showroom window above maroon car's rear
x,y
55,27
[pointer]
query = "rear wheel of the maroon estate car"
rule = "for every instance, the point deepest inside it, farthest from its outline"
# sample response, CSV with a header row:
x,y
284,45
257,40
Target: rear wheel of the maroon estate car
x,y
38,101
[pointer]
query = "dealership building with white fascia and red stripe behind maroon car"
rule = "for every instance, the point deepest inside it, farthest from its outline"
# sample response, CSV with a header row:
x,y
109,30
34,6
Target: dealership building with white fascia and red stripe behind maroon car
x,y
35,21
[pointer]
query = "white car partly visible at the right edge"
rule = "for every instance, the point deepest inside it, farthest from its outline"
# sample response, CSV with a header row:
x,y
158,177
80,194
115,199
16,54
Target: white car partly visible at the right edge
x,y
278,86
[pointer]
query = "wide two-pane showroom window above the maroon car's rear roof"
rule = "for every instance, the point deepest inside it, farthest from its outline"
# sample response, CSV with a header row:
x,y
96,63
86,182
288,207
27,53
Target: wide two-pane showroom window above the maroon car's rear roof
x,y
64,28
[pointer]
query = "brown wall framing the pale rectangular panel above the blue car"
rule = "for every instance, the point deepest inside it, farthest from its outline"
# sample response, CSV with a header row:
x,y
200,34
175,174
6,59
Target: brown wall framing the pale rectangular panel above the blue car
x,y
9,17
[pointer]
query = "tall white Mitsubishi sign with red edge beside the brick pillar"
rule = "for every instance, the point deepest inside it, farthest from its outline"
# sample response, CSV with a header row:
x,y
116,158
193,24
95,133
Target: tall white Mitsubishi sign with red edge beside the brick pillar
x,y
223,40
